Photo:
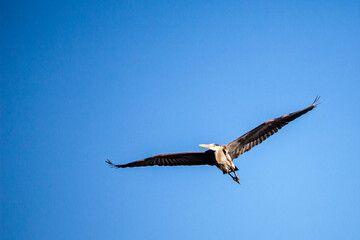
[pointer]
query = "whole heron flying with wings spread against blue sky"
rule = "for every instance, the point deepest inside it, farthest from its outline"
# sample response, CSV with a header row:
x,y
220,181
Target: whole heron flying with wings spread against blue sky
x,y
222,156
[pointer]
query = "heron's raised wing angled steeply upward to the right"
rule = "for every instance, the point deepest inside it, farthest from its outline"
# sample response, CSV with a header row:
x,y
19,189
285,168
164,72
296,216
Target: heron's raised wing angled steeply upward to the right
x,y
262,132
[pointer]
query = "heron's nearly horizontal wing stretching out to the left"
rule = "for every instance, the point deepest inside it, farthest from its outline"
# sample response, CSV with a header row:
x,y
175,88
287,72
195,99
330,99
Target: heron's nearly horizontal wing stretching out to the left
x,y
176,159
